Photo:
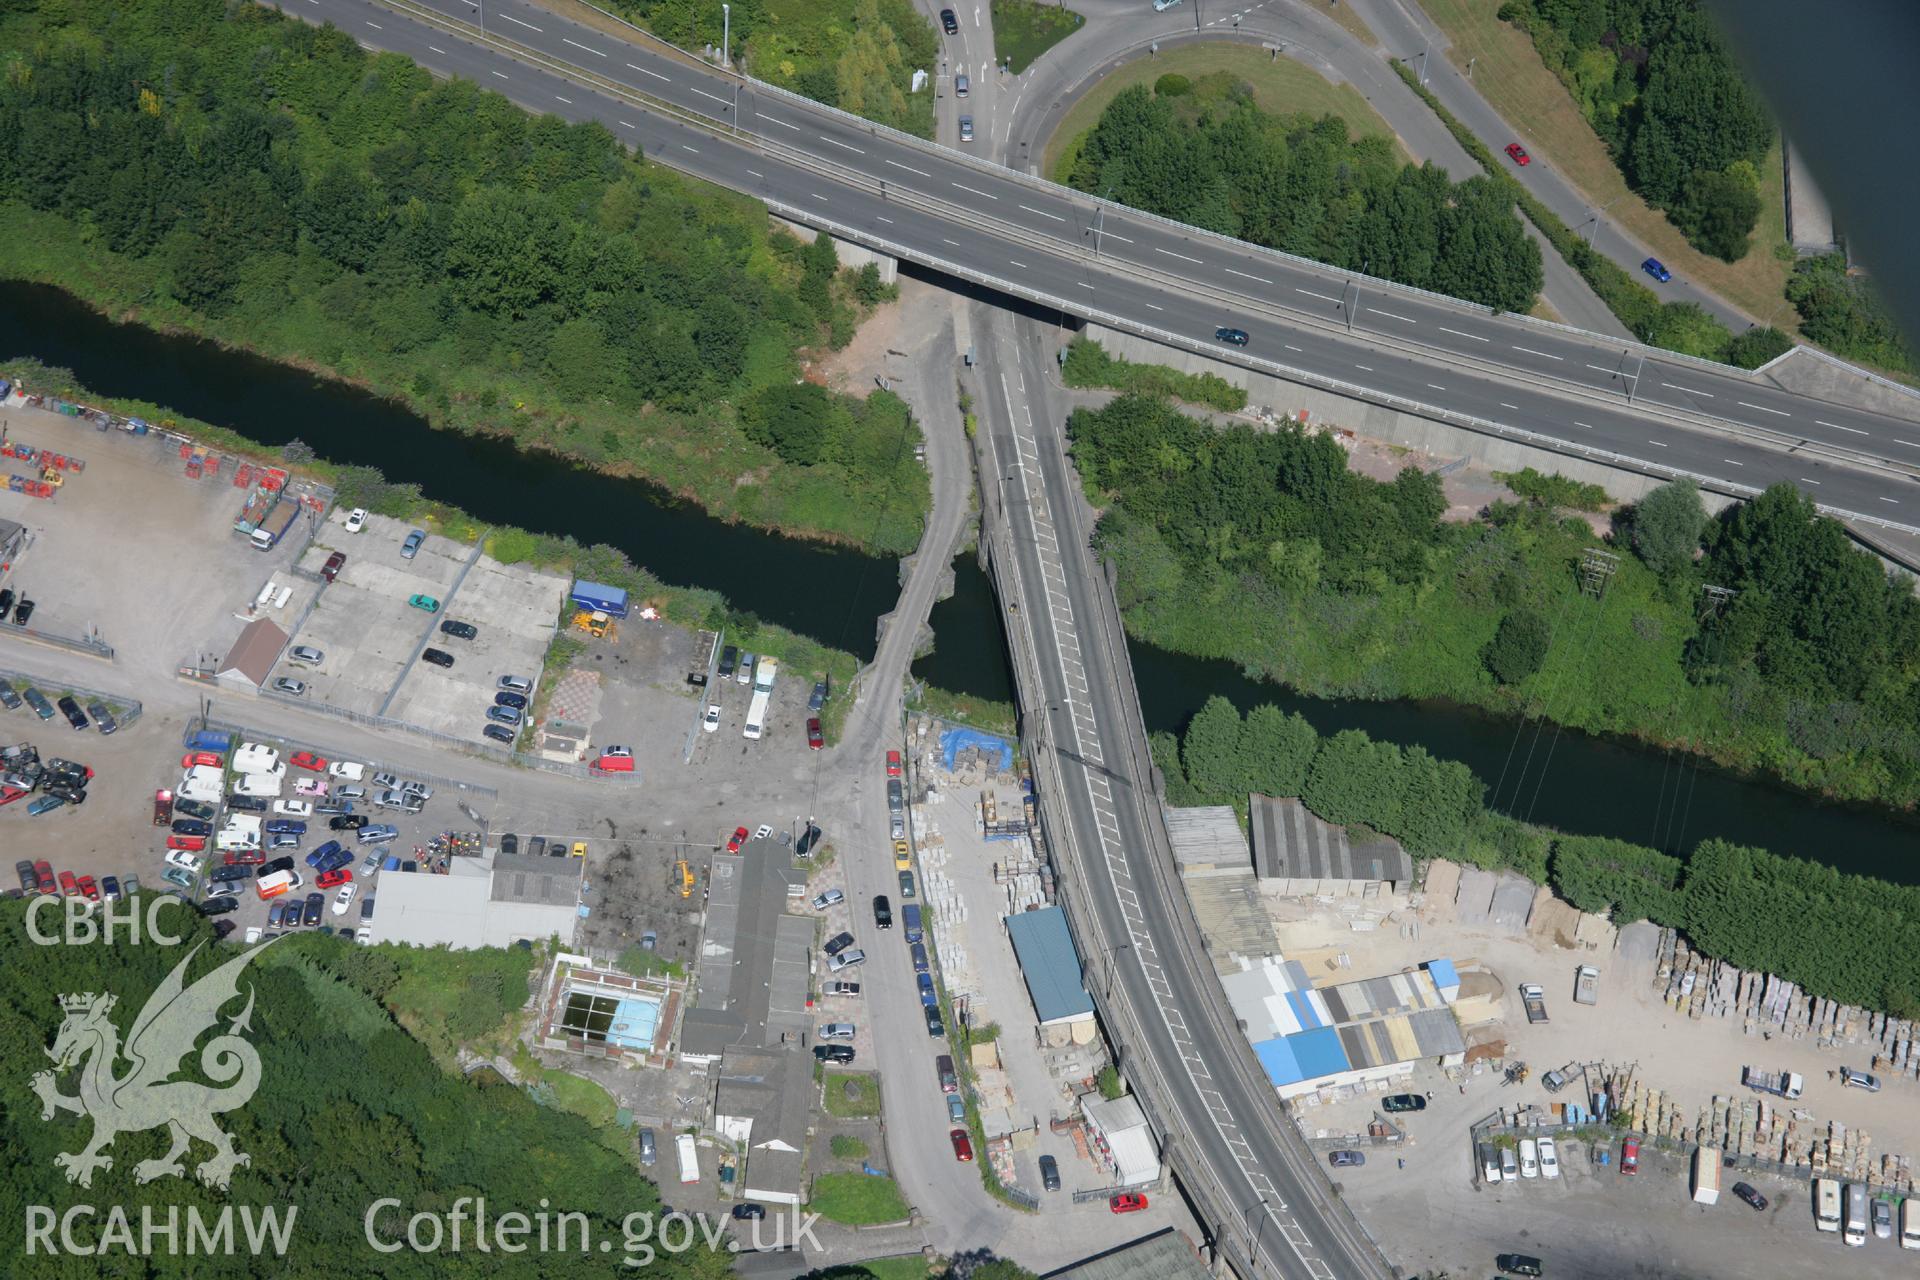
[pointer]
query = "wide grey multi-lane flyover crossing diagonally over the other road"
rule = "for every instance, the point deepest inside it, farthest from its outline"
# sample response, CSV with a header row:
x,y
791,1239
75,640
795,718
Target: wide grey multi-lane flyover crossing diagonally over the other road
x,y
951,212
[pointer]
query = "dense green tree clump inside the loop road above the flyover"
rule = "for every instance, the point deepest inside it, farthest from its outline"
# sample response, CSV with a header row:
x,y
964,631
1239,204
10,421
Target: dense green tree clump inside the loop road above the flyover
x,y
1203,153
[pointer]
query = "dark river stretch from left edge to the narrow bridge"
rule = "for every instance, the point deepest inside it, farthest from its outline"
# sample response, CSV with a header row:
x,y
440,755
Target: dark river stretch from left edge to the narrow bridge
x,y
830,594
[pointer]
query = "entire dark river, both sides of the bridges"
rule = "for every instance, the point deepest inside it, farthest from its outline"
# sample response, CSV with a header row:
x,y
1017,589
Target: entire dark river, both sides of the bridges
x,y
1566,780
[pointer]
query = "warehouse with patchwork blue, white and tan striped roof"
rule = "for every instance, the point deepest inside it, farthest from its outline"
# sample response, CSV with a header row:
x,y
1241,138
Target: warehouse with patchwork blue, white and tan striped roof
x,y
1355,1033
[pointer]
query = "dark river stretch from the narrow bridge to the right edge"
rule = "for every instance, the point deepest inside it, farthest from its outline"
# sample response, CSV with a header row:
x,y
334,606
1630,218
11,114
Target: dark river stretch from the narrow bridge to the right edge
x,y
1566,780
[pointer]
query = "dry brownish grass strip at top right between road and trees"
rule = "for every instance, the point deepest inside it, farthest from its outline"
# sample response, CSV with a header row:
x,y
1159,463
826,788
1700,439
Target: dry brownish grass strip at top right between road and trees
x,y
1512,78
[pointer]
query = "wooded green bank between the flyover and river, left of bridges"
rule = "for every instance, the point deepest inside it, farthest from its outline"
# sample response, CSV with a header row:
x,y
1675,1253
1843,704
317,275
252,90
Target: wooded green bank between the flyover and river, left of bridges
x,y
272,185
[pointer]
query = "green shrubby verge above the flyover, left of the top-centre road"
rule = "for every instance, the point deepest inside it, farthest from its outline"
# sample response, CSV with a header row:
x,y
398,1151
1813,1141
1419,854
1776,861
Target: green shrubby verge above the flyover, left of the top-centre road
x,y
859,59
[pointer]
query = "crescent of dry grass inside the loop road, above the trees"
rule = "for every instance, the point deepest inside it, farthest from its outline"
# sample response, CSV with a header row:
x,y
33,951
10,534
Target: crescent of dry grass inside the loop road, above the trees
x,y
1280,87
